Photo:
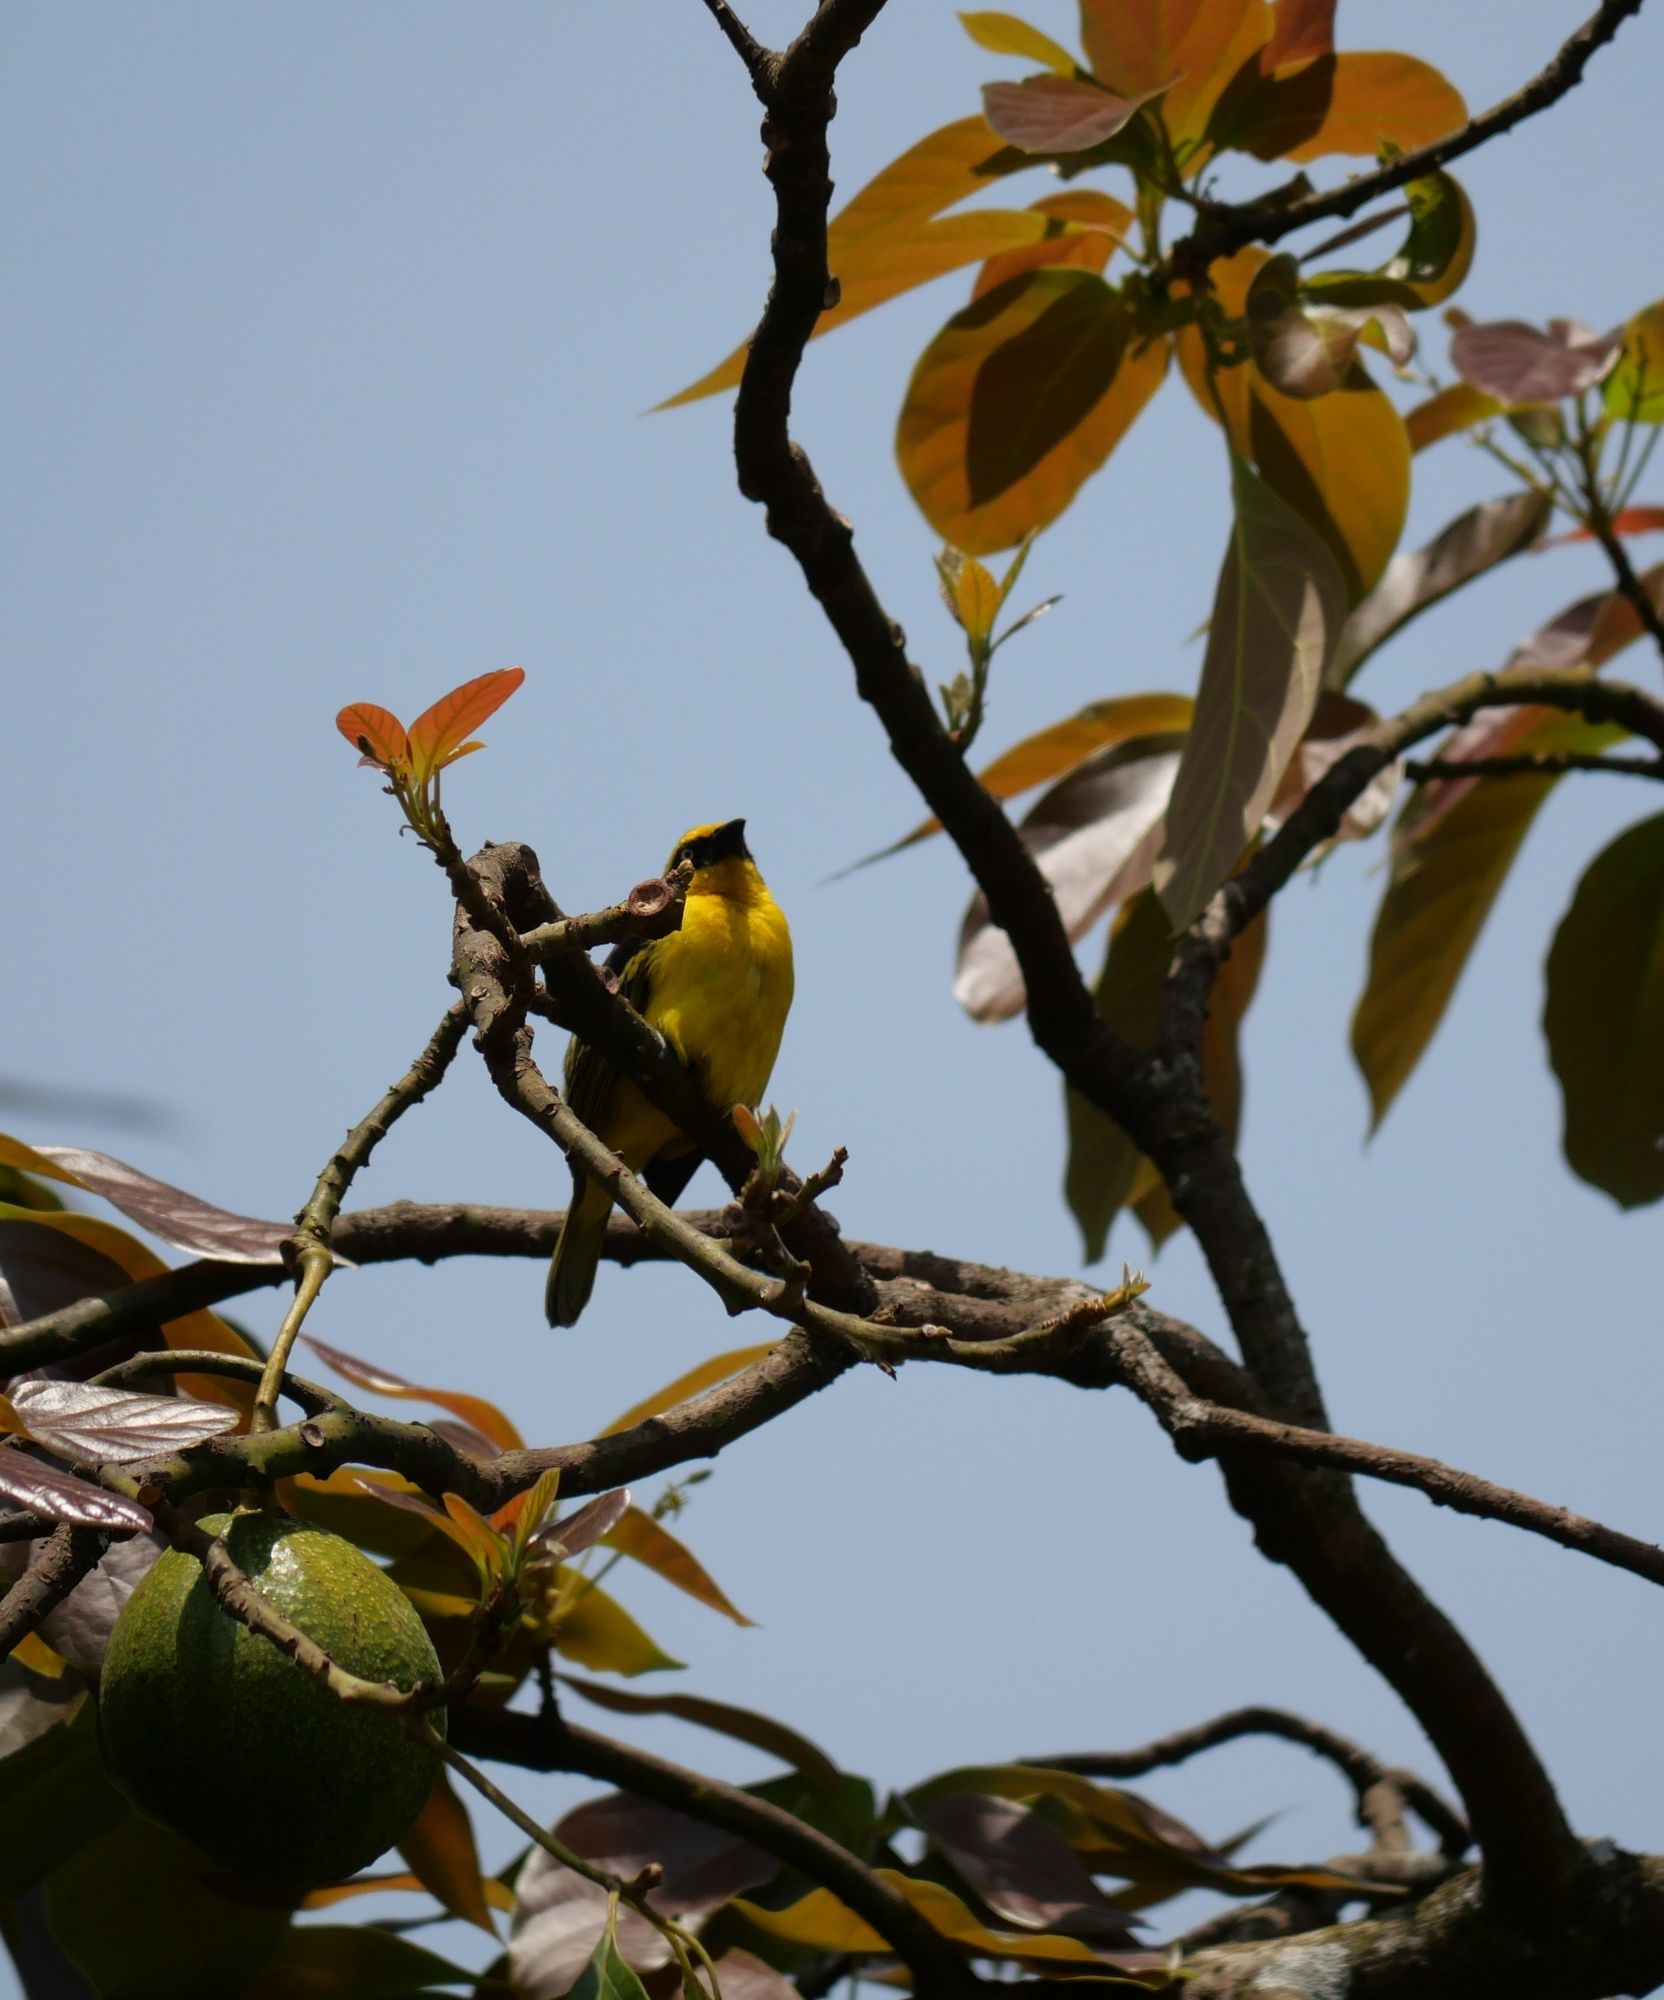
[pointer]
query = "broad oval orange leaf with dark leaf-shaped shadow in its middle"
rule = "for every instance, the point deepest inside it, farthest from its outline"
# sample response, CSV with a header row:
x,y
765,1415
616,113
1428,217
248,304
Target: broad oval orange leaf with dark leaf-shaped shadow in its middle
x,y
1019,401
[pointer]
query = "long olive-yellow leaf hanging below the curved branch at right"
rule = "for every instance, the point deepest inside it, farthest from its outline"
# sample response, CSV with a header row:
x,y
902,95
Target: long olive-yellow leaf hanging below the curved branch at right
x,y
1435,907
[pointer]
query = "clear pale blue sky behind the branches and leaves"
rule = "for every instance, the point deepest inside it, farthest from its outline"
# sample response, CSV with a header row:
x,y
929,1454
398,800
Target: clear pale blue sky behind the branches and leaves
x,y
329,343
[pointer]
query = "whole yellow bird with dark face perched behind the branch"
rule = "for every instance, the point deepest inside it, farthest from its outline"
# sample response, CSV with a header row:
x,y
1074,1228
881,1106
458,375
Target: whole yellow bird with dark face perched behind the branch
x,y
717,991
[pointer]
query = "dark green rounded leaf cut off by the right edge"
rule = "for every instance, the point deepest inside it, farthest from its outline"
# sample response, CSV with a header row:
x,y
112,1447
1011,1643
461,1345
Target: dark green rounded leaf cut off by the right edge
x,y
1605,1019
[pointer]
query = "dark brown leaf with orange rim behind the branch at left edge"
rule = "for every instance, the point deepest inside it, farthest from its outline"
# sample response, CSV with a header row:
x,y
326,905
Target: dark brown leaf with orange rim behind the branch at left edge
x,y
53,1259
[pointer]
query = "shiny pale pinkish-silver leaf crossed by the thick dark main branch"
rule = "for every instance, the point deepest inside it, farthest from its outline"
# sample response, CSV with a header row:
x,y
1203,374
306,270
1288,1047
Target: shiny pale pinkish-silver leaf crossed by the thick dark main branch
x,y
1095,839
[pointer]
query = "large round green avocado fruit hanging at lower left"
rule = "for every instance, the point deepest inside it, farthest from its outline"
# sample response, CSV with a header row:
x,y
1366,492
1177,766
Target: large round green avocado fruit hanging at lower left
x,y
221,1737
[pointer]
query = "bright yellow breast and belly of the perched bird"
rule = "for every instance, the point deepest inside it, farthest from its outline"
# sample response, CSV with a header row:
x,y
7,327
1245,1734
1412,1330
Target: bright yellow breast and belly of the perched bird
x,y
723,983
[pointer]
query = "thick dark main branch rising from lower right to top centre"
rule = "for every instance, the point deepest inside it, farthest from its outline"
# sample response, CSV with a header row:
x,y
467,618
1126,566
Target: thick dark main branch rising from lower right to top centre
x,y
1305,1519
